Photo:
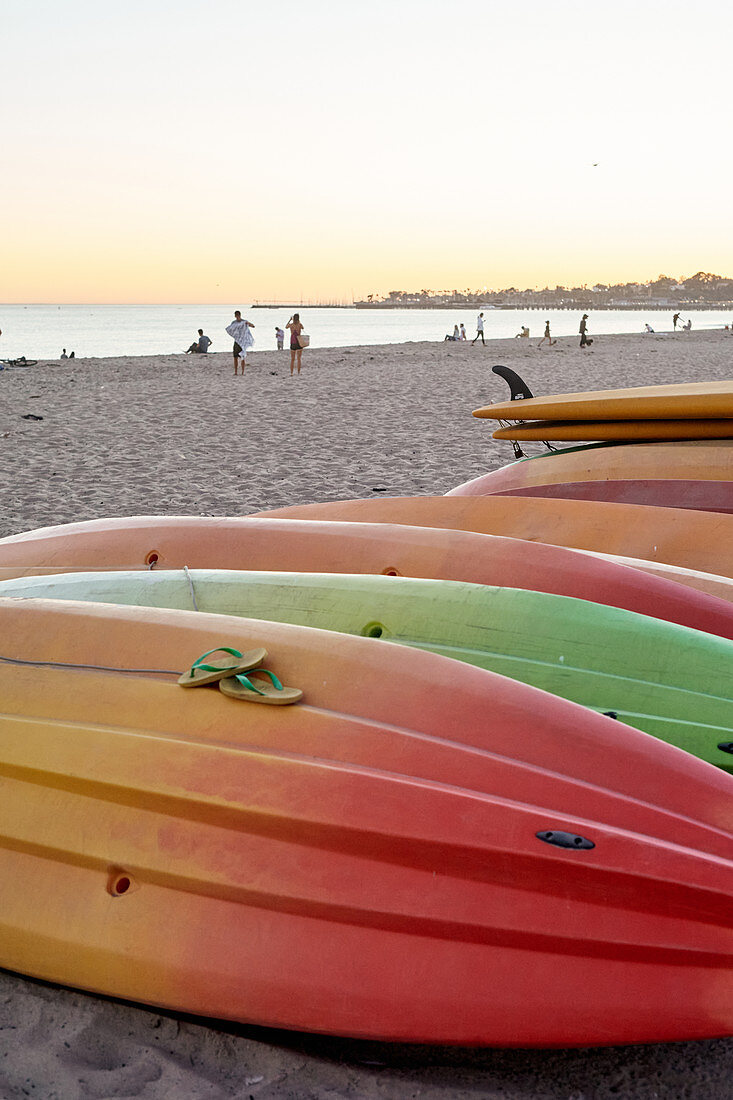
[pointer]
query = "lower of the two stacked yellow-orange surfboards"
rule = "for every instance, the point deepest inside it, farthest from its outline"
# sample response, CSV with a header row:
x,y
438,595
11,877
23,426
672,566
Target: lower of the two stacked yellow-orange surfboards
x,y
609,431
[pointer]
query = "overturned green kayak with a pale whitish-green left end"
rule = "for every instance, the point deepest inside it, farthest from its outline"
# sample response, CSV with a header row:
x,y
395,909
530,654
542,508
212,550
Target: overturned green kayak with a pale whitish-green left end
x,y
669,680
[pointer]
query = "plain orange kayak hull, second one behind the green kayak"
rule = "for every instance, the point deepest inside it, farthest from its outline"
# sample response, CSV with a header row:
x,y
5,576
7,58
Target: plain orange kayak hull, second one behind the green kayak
x,y
702,541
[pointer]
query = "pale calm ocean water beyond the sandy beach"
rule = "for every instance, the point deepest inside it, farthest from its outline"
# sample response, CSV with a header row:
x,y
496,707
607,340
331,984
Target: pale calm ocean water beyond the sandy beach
x,y
41,332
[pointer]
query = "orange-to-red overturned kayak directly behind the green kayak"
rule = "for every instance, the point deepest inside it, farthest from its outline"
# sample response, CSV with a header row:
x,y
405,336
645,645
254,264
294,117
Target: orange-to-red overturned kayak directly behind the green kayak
x,y
389,548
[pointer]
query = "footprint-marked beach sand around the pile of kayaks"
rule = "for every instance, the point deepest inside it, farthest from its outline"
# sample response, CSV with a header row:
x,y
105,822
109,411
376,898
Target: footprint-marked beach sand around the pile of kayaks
x,y
181,435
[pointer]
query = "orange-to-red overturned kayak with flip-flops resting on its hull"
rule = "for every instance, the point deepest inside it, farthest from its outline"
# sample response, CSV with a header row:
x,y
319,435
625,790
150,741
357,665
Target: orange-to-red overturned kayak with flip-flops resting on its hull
x,y
420,851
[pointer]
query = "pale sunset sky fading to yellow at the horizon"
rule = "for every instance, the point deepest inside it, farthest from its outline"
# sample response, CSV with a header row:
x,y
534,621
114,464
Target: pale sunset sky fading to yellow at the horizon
x,y
281,151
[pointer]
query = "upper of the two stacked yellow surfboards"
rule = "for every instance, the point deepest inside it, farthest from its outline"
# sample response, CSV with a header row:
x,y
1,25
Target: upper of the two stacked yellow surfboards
x,y
686,402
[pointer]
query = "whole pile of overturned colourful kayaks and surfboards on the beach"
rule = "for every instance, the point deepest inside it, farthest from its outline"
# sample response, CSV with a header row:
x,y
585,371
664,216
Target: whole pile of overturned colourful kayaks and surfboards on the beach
x,y
501,811
